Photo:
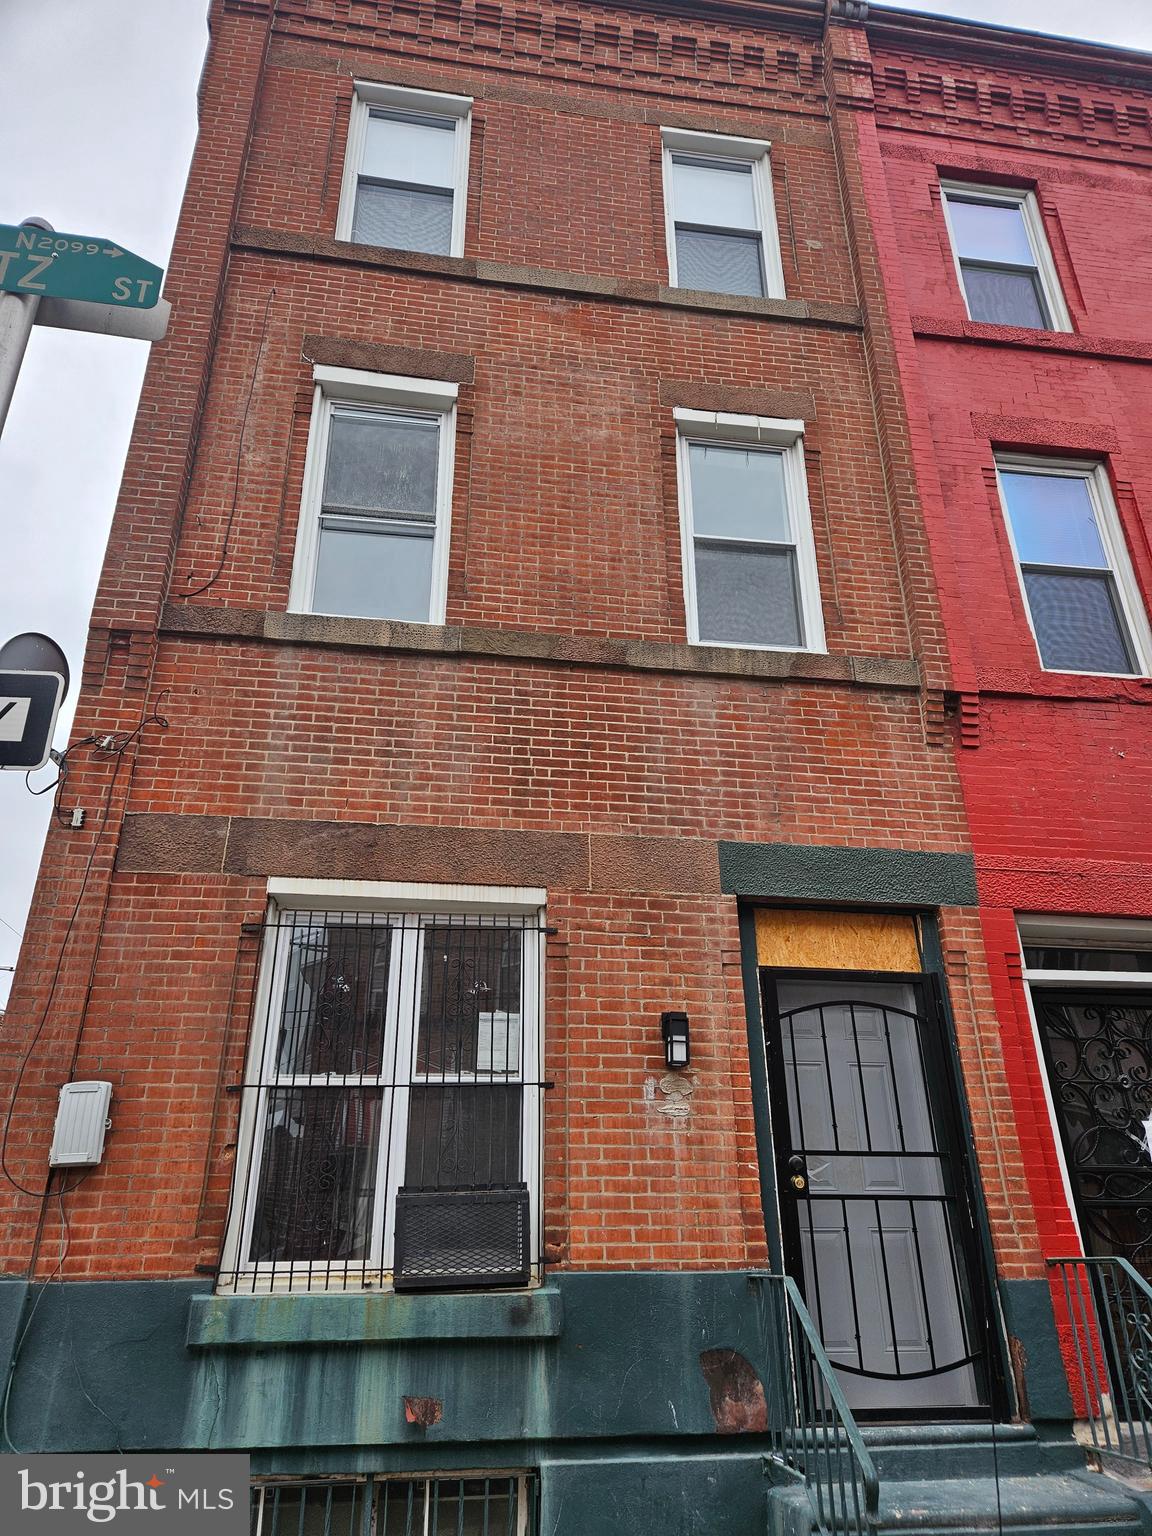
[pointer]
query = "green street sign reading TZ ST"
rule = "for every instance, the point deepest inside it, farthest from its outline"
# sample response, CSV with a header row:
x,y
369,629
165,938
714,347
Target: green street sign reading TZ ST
x,y
50,265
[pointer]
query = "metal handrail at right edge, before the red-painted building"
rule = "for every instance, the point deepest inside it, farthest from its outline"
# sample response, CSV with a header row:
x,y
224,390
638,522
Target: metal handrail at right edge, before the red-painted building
x,y
1110,1322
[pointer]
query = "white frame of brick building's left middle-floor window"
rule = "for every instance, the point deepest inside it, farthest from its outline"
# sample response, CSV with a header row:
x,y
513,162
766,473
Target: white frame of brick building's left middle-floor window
x,y
337,388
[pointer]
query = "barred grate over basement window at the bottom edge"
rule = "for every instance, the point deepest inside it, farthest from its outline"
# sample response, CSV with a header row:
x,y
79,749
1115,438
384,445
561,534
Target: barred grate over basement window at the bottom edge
x,y
469,1506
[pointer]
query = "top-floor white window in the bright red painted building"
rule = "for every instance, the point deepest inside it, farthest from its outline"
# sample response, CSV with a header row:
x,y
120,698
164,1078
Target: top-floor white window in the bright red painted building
x,y
1002,257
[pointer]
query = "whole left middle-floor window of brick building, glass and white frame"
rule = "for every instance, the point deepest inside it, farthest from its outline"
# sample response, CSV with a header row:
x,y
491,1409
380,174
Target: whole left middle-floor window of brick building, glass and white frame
x,y
374,520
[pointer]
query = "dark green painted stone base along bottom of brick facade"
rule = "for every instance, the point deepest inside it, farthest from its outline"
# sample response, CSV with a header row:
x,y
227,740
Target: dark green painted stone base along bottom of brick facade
x,y
595,1380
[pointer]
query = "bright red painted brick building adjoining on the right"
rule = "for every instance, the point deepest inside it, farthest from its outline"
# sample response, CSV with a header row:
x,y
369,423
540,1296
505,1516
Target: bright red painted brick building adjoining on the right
x,y
1028,400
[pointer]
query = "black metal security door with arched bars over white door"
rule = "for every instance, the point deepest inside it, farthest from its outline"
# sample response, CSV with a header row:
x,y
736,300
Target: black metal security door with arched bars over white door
x,y
875,1190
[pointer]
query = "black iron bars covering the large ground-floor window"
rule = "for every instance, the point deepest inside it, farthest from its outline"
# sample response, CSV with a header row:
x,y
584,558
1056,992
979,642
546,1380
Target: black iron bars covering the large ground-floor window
x,y
391,1113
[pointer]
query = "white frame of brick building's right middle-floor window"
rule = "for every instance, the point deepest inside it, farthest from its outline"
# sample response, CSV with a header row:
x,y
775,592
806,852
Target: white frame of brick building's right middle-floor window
x,y
744,432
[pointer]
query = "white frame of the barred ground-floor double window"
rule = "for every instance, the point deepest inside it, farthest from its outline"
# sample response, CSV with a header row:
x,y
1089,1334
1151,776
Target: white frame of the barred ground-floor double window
x,y
406,899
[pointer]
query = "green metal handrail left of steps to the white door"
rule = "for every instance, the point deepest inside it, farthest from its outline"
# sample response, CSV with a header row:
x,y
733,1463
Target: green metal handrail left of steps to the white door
x,y
810,1425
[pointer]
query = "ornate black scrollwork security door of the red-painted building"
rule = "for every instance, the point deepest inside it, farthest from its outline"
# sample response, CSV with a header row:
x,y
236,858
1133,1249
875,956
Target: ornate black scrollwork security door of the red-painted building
x,y
1099,1051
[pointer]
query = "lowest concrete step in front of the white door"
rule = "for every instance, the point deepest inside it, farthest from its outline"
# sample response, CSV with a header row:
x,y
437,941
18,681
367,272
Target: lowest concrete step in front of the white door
x,y
1073,1505
